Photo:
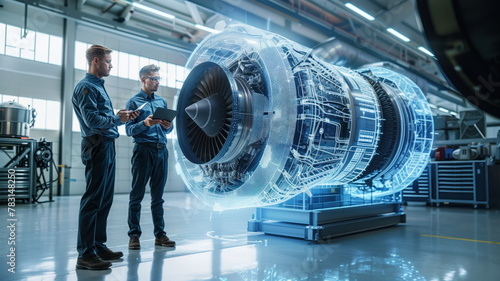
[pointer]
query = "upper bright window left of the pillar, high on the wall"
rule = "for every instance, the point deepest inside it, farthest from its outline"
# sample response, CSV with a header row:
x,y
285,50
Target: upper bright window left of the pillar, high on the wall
x,y
31,45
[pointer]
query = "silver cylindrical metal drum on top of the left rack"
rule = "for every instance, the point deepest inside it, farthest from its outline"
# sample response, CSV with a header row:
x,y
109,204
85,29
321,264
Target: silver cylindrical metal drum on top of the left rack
x,y
15,120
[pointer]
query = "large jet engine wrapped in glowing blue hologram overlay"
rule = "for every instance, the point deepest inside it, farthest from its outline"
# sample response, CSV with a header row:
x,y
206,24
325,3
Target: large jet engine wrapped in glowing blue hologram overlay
x,y
261,119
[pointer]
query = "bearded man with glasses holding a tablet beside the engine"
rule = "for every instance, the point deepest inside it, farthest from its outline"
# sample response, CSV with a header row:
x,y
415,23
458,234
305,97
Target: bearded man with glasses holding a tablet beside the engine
x,y
149,158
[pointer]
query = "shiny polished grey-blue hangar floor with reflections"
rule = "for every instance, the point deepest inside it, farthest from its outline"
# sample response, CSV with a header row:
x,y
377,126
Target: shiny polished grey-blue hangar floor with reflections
x,y
436,243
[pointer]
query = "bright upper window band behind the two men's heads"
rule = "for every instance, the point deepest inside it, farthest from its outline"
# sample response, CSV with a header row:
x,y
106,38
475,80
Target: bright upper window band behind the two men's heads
x,y
127,66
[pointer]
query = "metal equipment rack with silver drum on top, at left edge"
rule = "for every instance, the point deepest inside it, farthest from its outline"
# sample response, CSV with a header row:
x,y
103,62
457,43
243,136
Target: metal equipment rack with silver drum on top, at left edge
x,y
27,163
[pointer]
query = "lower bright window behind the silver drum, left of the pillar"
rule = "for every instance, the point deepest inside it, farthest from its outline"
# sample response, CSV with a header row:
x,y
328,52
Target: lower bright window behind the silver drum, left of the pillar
x,y
47,111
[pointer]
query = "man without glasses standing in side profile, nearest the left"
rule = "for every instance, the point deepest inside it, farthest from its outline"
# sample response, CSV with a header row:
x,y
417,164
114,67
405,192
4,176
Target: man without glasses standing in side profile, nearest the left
x,y
98,125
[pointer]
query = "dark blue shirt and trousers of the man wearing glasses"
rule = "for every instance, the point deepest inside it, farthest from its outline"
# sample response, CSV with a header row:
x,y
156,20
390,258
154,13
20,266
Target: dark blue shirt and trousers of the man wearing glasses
x,y
149,162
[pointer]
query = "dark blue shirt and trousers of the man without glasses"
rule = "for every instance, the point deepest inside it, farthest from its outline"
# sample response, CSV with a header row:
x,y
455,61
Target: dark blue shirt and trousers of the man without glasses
x,y
98,125
